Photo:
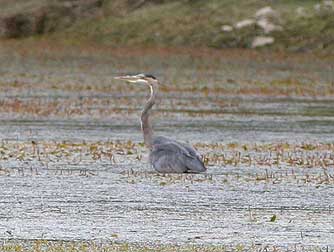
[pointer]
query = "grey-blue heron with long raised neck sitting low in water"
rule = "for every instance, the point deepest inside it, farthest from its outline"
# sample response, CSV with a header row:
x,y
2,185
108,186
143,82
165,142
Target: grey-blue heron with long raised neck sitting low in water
x,y
166,155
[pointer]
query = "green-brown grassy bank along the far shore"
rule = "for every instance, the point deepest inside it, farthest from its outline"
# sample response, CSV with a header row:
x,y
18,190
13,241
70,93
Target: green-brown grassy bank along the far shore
x,y
303,25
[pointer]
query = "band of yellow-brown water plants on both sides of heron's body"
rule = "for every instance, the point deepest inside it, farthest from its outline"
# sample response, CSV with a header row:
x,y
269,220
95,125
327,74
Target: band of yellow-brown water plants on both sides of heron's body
x,y
273,162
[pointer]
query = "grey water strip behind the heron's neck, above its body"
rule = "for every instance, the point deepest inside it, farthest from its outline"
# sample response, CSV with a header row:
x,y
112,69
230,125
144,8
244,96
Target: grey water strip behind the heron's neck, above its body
x,y
250,120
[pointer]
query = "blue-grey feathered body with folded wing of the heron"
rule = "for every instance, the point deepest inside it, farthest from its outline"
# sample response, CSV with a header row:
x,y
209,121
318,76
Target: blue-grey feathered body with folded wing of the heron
x,y
171,156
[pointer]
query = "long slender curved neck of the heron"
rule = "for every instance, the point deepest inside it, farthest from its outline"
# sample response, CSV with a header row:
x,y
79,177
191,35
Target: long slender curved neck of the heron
x,y
145,120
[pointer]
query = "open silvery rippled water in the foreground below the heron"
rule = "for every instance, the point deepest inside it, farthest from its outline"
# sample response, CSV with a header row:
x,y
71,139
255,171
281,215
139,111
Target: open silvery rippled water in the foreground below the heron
x,y
232,212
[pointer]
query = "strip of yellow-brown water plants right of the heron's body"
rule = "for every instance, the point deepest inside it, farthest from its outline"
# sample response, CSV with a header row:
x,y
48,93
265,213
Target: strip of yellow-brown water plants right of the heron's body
x,y
304,155
